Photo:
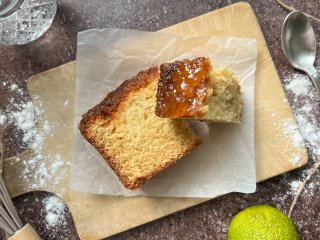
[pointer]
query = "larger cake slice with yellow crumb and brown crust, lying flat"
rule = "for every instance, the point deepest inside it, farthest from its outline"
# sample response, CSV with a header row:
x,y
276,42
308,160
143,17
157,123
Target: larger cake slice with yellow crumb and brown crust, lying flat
x,y
132,139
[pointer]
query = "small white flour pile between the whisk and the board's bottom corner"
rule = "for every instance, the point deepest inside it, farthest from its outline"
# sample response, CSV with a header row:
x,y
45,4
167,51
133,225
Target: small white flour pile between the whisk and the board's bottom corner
x,y
54,212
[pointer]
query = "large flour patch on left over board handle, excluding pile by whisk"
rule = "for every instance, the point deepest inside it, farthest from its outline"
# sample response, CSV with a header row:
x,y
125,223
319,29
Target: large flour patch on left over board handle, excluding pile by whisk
x,y
42,169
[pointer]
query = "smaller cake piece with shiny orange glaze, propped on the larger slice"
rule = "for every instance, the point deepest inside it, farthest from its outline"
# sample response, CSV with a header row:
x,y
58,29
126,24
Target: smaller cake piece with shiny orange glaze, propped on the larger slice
x,y
191,89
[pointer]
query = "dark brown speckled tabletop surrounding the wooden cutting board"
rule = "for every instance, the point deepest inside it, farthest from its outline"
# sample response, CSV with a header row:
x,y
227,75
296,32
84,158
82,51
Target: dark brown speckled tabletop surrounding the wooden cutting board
x,y
209,220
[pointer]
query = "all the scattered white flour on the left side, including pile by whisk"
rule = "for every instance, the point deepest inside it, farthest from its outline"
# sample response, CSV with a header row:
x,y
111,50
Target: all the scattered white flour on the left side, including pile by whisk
x,y
39,168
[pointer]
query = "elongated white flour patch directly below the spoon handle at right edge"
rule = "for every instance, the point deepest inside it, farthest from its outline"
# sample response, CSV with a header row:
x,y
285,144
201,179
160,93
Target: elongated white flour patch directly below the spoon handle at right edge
x,y
306,111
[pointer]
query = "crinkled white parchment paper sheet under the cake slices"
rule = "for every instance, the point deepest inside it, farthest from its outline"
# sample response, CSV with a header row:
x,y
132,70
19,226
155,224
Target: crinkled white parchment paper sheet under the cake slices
x,y
225,160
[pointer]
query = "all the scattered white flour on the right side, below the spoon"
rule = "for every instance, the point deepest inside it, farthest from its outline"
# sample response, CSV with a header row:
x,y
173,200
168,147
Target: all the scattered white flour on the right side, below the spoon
x,y
305,104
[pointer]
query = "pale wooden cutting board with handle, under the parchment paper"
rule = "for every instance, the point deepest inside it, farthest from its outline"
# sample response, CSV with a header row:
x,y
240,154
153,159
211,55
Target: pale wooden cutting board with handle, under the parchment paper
x,y
98,216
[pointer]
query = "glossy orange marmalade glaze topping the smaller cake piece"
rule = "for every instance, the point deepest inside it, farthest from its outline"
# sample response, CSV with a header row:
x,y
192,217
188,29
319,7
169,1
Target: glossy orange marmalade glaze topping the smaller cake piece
x,y
183,88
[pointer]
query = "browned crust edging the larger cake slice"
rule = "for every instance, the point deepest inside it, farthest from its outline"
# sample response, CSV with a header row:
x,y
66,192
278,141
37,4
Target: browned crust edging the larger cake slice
x,y
107,110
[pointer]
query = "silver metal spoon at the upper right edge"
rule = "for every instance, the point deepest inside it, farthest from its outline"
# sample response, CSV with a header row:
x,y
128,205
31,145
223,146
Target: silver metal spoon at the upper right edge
x,y
299,44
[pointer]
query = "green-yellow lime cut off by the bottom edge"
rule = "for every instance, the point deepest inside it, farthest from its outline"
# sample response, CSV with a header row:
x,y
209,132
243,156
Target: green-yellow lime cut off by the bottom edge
x,y
262,222
